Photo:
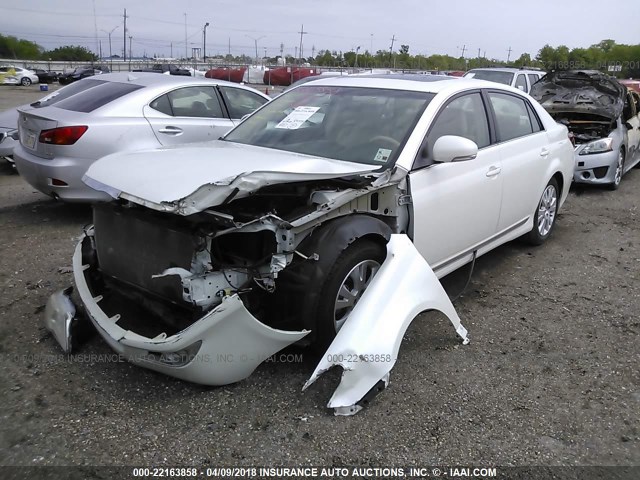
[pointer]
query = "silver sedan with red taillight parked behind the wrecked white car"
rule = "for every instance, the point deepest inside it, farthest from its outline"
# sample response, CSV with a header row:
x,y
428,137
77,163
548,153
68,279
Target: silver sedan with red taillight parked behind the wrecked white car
x,y
121,112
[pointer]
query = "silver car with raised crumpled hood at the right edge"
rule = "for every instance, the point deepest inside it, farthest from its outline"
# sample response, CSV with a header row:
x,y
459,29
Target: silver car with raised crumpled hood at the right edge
x,y
603,118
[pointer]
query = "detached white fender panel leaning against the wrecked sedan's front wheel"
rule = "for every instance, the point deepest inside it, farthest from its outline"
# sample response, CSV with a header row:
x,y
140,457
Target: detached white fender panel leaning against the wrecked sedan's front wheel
x,y
367,345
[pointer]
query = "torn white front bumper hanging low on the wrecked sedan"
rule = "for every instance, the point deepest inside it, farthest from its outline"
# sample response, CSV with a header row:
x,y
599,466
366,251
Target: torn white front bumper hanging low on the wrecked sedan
x,y
224,346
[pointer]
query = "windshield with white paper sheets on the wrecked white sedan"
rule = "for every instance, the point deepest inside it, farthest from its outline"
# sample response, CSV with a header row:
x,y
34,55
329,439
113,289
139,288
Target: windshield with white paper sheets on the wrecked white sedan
x,y
362,125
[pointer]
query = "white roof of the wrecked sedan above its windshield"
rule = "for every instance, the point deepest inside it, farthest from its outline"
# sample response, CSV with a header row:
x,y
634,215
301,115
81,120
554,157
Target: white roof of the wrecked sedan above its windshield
x,y
414,82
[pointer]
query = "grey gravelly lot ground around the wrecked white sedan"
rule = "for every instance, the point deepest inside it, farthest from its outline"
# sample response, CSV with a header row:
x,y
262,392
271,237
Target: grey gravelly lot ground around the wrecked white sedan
x,y
550,376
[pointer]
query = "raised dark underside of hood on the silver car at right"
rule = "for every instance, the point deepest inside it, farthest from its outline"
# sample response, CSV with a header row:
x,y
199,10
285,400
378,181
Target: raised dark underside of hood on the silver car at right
x,y
580,91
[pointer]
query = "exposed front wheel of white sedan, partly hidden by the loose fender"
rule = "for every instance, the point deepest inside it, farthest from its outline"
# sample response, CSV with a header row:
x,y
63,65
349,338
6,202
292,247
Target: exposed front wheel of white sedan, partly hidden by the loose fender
x,y
363,257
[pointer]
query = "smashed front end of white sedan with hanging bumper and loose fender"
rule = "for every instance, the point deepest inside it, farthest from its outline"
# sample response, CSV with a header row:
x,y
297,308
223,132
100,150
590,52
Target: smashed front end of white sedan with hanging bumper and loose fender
x,y
208,295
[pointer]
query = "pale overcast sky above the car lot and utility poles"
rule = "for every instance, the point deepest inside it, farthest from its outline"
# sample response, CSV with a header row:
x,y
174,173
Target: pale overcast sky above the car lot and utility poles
x,y
496,28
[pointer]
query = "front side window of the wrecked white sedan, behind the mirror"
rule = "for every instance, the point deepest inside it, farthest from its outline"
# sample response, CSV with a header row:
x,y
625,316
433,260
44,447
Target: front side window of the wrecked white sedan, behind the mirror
x,y
464,116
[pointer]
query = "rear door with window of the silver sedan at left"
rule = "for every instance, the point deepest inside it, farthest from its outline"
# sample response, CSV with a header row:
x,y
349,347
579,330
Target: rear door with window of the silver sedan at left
x,y
188,114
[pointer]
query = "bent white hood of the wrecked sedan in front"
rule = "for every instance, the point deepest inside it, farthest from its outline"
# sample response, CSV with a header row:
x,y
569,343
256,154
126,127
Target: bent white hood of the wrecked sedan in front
x,y
189,178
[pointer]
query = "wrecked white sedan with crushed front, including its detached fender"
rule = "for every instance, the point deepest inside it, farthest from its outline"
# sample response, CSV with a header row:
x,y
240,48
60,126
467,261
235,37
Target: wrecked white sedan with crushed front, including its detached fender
x,y
326,217
